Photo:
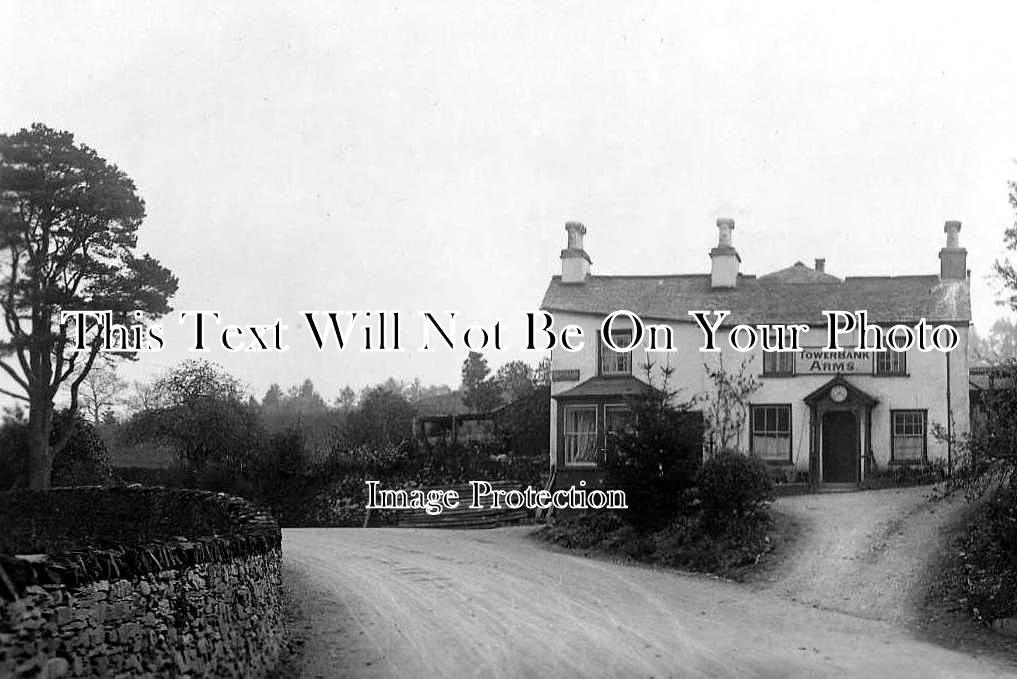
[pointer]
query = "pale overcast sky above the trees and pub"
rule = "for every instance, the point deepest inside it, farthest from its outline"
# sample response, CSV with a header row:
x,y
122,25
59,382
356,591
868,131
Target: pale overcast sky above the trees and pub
x,y
426,156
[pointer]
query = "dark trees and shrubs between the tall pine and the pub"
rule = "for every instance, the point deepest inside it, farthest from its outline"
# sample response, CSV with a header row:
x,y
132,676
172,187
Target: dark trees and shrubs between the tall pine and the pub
x,y
307,460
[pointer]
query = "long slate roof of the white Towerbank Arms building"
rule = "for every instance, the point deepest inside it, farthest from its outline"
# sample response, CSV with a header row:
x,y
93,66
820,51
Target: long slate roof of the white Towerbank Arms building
x,y
794,295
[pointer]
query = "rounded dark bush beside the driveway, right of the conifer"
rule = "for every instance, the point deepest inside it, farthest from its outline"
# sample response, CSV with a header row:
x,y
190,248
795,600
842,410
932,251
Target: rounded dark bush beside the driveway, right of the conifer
x,y
733,487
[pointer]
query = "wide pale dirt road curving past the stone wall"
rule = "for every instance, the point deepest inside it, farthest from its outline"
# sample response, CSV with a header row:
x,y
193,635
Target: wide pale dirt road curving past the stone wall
x,y
404,603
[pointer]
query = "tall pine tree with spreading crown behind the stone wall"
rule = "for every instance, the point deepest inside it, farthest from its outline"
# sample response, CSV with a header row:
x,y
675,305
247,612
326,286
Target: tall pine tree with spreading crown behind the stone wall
x,y
69,231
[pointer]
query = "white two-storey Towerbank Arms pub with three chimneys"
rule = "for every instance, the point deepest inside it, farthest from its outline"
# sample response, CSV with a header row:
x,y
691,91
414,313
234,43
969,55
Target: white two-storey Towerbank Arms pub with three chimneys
x,y
829,418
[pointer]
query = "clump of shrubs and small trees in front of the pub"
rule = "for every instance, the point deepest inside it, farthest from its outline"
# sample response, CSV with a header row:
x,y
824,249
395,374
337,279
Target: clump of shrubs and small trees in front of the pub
x,y
684,513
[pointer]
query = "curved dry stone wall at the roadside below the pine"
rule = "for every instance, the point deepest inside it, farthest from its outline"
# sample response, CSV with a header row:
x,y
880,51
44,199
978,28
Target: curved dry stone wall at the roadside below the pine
x,y
199,596
